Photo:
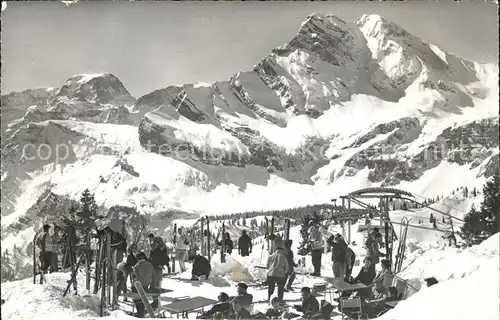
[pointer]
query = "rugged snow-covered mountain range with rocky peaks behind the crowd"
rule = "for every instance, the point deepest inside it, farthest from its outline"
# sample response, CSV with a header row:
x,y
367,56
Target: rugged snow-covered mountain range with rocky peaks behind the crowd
x,y
341,106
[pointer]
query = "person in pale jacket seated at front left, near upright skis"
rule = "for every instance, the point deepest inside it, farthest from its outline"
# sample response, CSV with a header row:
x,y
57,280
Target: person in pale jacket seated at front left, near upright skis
x,y
145,273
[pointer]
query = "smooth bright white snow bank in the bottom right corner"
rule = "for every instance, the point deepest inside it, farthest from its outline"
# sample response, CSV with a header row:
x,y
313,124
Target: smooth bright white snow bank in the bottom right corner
x,y
468,283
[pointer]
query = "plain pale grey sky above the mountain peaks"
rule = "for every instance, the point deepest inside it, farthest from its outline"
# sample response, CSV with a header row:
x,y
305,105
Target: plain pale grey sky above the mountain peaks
x,y
150,45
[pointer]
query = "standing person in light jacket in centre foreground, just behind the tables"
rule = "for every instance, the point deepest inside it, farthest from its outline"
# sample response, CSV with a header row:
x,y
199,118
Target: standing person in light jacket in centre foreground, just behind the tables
x,y
277,265
